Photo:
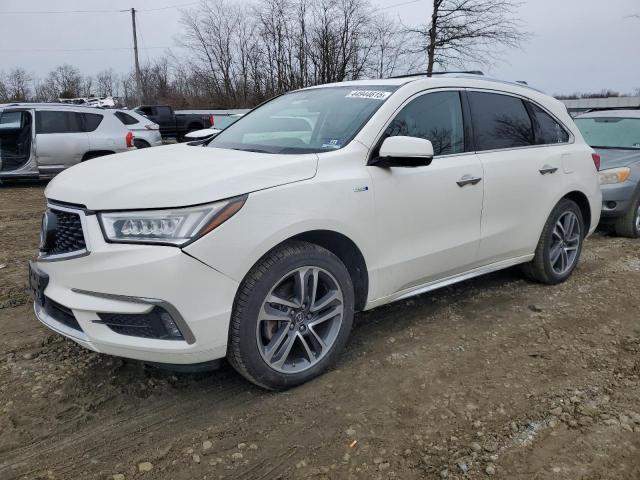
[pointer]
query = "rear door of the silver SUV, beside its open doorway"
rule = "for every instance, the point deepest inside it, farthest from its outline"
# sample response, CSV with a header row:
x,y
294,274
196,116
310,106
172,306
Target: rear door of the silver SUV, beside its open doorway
x,y
60,139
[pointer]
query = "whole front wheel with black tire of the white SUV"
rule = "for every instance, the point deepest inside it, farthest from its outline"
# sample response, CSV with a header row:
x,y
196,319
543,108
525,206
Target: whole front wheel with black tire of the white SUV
x,y
254,350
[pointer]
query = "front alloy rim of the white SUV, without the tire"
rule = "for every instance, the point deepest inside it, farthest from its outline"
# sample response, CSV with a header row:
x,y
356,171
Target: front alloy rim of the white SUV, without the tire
x,y
299,320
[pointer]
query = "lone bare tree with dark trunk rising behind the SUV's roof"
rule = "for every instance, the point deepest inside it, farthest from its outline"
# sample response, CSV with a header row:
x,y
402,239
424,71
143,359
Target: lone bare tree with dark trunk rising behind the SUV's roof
x,y
461,31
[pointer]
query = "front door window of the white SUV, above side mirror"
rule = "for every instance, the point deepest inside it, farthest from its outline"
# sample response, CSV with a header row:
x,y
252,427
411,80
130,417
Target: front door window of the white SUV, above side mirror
x,y
436,117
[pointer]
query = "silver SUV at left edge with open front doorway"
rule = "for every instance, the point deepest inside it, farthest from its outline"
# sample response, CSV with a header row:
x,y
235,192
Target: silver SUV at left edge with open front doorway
x,y
41,140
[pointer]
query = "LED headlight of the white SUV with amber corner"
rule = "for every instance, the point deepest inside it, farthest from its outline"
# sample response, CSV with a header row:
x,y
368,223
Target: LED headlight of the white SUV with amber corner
x,y
177,226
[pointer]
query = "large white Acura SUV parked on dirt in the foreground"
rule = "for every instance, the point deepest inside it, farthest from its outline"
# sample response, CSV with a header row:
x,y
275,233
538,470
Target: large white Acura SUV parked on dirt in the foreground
x,y
260,245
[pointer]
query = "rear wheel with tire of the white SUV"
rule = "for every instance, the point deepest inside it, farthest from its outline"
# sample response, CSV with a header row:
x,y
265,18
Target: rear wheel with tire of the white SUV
x,y
546,266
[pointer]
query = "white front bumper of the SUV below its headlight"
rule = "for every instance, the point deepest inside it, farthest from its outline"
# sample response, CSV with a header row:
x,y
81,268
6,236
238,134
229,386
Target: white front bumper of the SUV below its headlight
x,y
132,279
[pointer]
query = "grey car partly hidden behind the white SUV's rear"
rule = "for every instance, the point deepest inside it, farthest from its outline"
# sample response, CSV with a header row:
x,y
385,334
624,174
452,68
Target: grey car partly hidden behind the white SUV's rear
x,y
615,135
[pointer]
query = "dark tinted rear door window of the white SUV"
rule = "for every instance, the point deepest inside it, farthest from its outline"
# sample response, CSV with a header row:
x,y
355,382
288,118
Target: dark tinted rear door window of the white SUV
x,y
500,121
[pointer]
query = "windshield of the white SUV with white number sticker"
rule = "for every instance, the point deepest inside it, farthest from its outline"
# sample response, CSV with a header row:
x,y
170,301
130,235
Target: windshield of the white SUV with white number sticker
x,y
305,121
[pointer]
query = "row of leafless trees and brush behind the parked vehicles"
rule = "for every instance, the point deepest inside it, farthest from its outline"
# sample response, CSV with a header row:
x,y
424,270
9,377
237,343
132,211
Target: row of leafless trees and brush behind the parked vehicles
x,y
237,54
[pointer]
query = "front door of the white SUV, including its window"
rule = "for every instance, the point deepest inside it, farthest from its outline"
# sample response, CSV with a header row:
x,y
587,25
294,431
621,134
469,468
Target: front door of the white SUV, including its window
x,y
428,217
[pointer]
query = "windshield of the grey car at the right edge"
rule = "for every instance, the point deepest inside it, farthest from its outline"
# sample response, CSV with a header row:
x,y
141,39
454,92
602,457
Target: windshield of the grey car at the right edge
x,y
610,132
